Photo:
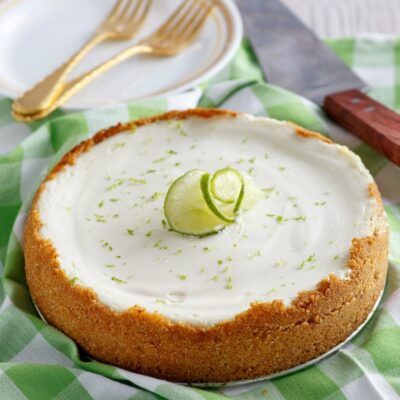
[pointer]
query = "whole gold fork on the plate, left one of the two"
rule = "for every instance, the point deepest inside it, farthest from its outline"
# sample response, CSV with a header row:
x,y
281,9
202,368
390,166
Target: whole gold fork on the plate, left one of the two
x,y
123,22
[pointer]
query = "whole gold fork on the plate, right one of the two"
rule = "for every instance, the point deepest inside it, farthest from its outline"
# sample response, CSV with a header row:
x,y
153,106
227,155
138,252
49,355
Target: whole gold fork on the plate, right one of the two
x,y
171,38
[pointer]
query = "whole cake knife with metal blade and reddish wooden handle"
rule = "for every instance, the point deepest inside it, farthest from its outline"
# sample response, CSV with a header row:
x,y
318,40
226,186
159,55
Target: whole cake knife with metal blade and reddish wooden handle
x,y
293,57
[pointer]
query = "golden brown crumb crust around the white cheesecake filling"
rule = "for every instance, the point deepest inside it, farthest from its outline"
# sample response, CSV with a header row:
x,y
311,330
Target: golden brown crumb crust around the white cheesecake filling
x,y
267,338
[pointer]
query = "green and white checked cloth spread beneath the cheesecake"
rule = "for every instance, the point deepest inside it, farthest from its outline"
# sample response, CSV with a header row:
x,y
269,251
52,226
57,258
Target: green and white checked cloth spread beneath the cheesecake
x,y
39,362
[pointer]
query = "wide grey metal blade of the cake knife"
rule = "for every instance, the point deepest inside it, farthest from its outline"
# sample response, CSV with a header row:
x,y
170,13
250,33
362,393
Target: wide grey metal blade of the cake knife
x,y
291,55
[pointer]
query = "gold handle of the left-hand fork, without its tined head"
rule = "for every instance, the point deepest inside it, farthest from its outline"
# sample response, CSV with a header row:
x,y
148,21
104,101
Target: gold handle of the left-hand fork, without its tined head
x,y
40,96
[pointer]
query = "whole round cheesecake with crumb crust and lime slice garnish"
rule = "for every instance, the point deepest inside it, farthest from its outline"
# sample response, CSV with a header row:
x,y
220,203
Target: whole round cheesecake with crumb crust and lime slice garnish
x,y
207,245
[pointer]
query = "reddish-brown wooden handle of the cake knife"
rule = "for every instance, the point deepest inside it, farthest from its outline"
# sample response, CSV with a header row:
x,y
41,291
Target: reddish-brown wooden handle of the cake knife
x,y
372,122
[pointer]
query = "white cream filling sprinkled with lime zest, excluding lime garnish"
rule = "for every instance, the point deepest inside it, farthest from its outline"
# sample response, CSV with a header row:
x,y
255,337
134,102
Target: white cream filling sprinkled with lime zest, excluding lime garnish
x,y
104,216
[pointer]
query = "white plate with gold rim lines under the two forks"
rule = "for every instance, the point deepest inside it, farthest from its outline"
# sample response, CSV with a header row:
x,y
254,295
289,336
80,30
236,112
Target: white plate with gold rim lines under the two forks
x,y
36,36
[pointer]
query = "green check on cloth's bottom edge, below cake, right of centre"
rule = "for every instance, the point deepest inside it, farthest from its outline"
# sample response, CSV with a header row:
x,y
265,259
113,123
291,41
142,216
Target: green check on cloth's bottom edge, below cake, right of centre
x,y
310,383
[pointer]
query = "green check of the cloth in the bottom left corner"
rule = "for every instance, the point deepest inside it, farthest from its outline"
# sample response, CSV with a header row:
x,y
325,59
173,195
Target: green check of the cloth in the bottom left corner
x,y
42,382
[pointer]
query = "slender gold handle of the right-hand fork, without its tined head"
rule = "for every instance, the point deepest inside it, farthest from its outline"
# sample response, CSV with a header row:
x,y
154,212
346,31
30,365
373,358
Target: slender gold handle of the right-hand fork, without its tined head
x,y
68,89
